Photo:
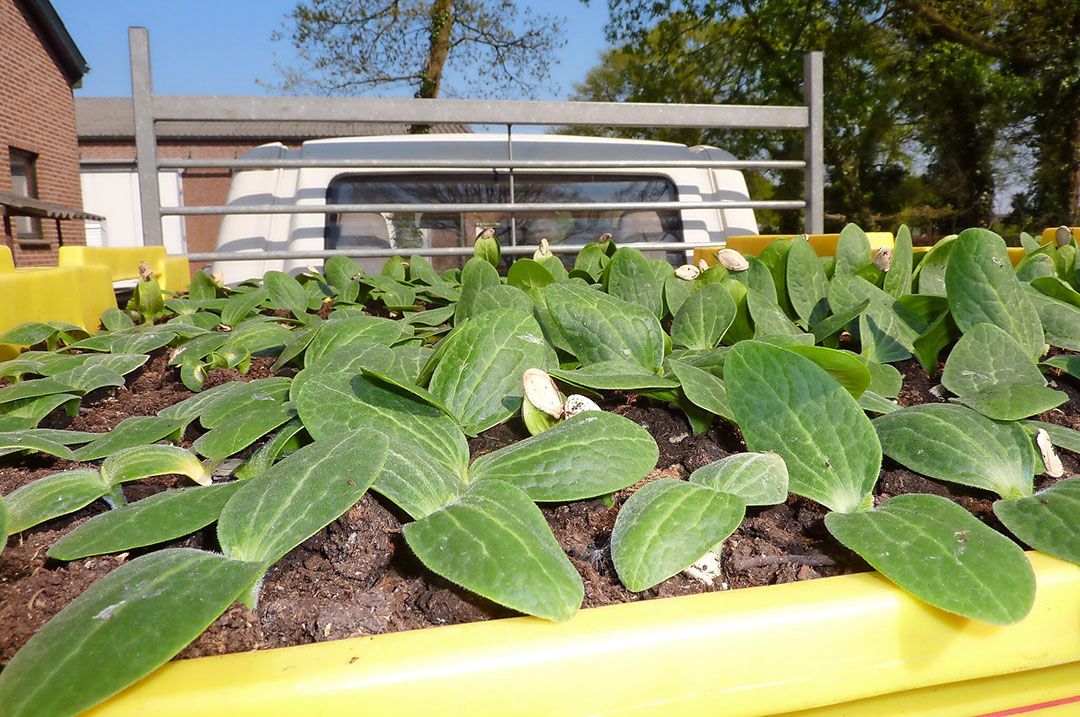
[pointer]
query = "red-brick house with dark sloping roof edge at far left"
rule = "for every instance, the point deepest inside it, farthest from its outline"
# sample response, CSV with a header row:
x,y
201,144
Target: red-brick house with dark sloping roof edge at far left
x,y
40,195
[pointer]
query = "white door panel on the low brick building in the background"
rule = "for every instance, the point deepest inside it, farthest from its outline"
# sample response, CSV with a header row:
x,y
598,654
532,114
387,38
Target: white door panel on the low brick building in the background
x,y
114,194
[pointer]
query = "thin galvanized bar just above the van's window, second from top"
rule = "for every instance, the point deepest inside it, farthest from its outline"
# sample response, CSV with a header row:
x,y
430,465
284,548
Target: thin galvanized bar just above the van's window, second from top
x,y
475,165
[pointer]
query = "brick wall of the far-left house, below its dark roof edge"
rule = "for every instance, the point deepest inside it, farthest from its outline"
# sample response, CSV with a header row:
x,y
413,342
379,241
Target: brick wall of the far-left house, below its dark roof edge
x,y
37,115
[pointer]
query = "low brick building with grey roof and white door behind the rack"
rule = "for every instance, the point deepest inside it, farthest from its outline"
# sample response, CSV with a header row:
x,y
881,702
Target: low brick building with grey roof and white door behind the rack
x,y
106,134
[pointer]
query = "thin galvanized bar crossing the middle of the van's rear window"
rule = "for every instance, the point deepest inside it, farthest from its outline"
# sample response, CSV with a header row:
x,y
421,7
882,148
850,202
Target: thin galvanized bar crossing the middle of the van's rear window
x,y
519,208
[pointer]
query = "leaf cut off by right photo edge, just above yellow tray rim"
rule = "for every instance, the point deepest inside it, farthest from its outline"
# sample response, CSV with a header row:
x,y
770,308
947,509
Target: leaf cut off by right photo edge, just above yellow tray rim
x,y
1049,521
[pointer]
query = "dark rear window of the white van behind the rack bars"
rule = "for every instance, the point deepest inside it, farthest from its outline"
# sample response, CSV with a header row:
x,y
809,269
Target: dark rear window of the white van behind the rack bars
x,y
415,229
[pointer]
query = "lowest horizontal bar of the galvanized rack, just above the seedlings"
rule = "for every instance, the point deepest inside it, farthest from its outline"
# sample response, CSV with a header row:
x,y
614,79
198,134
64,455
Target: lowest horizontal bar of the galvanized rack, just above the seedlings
x,y
369,253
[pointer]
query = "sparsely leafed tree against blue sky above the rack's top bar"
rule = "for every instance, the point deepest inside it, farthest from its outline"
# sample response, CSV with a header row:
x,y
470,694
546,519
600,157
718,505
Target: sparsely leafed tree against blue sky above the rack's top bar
x,y
355,47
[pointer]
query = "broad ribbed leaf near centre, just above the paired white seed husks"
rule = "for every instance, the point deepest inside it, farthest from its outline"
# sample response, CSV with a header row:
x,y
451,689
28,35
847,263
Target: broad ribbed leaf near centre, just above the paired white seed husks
x,y
601,328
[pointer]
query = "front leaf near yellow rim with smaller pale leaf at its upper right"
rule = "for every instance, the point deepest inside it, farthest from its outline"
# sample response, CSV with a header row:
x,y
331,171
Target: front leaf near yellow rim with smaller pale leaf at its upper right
x,y
668,525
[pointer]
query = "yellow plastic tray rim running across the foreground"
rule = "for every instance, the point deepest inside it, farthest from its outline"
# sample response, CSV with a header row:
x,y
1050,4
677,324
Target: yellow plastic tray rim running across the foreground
x,y
757,652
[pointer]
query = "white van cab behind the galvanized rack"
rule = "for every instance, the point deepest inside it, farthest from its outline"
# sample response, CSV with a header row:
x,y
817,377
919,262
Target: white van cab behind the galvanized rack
x,y
318,186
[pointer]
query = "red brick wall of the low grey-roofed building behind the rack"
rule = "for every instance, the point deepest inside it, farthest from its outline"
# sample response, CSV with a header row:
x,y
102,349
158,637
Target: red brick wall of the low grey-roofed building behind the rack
x,y
200,187
